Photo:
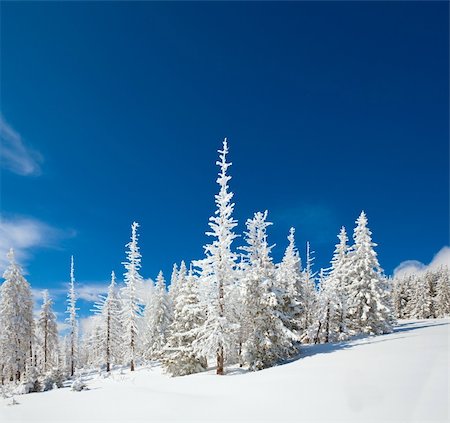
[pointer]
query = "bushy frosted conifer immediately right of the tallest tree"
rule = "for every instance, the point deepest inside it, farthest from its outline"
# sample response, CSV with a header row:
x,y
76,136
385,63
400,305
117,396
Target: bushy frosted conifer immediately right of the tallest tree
x,y
265,317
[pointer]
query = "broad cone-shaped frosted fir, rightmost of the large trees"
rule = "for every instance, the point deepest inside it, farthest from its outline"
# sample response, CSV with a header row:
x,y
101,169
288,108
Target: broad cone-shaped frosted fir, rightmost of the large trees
x,y
368,308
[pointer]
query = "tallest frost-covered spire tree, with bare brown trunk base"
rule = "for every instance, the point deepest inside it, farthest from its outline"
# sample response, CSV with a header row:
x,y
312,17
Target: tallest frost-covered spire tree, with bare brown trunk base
x,y
218,273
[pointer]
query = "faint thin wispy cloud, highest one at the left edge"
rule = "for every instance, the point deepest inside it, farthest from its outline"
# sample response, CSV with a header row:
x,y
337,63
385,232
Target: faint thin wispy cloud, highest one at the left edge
x,y
15,155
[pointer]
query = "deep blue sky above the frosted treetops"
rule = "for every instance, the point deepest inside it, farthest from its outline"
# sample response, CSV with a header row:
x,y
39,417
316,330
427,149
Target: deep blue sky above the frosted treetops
x,y
113,112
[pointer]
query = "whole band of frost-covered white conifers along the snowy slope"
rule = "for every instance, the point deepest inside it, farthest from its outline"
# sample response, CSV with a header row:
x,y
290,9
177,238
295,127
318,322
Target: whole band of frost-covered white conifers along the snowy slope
x,y
233,307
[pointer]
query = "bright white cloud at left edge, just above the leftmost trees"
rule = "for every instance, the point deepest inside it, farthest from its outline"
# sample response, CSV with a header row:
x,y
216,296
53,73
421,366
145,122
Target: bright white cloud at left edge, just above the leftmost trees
x,y
24,234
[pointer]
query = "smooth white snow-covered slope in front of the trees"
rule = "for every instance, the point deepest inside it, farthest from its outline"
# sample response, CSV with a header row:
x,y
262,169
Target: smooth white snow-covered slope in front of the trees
x,y
403,377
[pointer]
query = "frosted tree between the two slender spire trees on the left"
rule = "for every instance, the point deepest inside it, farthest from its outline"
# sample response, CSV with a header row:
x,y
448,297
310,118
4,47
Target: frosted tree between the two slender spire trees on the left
x,y
110,331
